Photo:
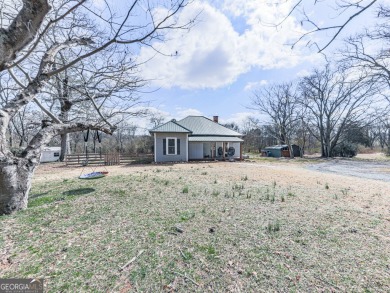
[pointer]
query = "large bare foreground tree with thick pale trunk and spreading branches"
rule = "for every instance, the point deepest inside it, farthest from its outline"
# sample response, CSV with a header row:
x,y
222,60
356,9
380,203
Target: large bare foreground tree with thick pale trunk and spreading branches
x,y
33,62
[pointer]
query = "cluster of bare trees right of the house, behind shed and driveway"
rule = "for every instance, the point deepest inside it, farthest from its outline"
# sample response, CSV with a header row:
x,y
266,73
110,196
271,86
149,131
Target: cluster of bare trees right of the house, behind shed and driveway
x,y
334,109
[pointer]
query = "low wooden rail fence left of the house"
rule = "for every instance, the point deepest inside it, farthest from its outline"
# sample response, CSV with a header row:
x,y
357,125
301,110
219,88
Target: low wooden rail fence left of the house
x,y
106,159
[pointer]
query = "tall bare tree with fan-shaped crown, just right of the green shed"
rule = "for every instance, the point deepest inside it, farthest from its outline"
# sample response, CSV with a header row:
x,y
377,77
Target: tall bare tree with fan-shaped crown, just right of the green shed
x,y
334,100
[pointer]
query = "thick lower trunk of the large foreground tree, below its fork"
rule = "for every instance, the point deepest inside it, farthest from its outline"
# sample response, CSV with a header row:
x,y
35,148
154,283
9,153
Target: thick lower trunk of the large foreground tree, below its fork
x,y
15,183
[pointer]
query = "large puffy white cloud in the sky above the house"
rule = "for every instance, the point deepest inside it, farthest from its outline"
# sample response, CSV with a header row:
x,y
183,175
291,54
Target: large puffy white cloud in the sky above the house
x,y
213,54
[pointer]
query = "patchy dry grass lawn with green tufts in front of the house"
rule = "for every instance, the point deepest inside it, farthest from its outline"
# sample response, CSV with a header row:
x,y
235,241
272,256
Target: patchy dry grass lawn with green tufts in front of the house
x,y
206,227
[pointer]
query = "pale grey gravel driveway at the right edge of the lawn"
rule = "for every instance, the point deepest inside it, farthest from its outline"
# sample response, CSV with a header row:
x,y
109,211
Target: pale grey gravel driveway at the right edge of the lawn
x,y
362,169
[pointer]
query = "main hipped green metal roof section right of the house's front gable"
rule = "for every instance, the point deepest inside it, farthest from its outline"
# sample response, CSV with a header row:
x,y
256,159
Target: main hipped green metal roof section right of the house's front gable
x,y
200,125
